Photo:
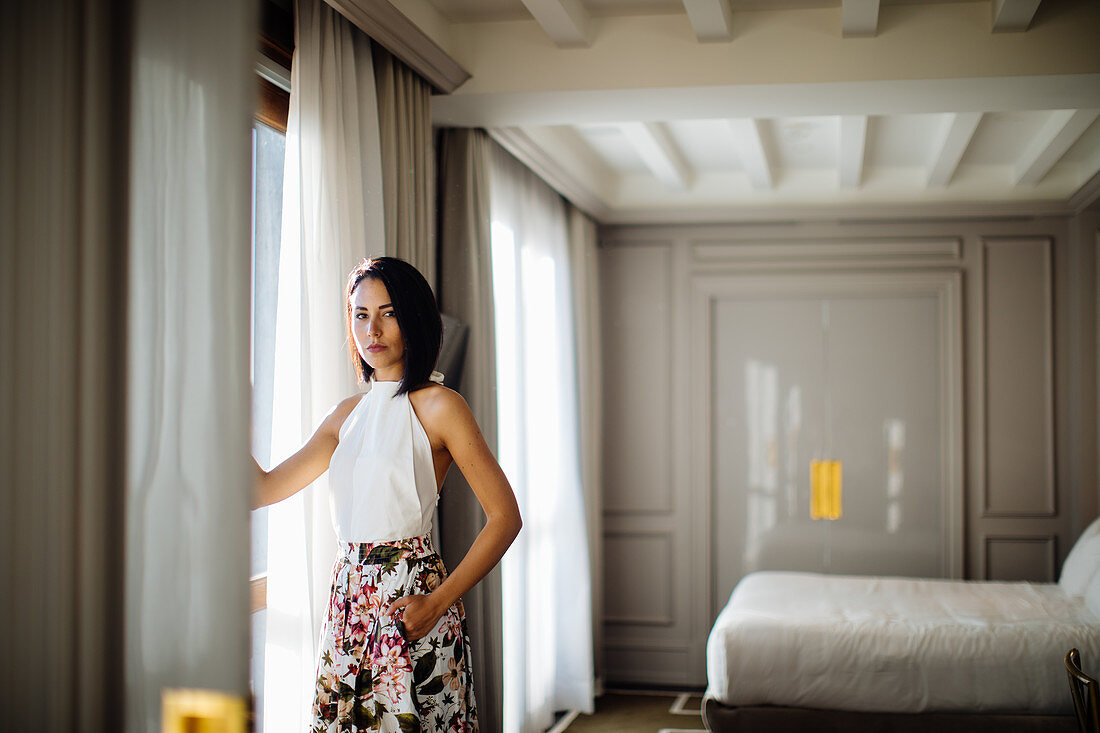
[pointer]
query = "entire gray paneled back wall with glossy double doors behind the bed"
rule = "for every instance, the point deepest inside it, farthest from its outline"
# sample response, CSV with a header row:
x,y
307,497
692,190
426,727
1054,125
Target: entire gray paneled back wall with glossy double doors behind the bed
x,y
988,331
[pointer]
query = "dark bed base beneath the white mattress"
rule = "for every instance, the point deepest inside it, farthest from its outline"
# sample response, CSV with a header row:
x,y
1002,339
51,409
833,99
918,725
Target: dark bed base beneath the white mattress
x,y
774,719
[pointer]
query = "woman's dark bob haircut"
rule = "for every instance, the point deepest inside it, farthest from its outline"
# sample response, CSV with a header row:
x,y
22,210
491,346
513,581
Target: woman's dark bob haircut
x,y
417,316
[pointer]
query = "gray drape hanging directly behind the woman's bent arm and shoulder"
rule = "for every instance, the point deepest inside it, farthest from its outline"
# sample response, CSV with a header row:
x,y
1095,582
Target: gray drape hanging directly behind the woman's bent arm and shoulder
x,y
466,292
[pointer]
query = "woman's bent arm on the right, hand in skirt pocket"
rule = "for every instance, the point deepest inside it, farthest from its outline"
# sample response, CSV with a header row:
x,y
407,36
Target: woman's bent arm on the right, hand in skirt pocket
x,y
455,424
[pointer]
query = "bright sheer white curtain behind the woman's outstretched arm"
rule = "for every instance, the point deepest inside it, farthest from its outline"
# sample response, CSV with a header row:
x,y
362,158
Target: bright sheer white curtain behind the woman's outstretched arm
x,y
333,216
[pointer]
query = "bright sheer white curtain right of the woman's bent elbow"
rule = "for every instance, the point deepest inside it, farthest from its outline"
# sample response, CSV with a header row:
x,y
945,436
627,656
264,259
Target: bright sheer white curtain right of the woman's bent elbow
x,y
546,575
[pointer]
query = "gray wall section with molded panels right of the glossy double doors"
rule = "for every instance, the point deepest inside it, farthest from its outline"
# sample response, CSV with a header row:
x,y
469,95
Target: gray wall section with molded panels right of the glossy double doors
x,y
1019,513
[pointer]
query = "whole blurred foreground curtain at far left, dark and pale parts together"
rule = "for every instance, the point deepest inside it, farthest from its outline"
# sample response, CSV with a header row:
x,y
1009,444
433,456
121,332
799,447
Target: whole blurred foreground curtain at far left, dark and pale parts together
x,y
124,338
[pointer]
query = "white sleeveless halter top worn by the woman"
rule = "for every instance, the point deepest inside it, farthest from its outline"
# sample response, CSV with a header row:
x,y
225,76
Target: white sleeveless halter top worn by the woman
x,y
382,476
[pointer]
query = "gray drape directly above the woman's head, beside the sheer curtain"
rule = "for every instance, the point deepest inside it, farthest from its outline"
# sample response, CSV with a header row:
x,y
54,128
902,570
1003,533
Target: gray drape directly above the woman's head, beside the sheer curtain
x,y
408,167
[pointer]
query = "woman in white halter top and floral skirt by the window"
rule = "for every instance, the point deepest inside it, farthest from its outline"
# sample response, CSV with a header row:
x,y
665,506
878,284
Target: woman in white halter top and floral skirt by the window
x,y
394,651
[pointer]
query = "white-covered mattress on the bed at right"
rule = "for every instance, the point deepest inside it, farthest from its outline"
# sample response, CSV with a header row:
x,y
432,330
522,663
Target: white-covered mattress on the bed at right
x,y
898,644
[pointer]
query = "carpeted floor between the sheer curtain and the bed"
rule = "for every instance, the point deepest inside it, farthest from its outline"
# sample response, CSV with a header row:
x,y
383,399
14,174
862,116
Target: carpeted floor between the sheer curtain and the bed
x,y
643,713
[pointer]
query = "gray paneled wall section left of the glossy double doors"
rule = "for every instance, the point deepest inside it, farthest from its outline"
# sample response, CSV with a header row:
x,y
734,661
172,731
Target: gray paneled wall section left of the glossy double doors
x,y
650,611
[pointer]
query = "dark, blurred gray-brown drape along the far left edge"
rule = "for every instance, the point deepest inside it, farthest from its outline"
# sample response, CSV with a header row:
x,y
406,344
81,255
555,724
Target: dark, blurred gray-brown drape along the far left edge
x,y
64,140
